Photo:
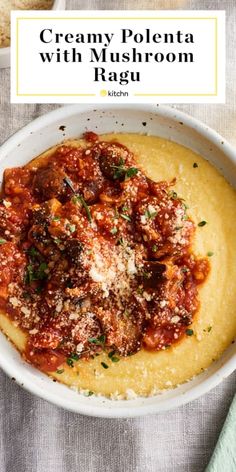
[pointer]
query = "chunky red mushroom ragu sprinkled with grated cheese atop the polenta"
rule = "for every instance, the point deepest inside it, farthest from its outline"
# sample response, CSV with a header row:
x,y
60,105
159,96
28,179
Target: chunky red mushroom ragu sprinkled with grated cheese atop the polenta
x,y
95,256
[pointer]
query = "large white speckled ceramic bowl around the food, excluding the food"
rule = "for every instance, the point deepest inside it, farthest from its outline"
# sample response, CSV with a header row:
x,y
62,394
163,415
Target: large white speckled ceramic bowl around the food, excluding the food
x,y
162,121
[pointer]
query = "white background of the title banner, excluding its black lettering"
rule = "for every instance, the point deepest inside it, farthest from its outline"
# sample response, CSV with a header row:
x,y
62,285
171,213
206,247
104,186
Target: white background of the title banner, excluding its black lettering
x,y
65,82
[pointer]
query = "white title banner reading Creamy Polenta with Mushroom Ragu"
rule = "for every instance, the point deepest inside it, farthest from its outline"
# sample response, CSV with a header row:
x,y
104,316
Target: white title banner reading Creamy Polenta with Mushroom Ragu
x,y
118,56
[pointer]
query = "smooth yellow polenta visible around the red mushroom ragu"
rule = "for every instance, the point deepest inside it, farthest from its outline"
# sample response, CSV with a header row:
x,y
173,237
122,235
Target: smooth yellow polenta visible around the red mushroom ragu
x,y
209,198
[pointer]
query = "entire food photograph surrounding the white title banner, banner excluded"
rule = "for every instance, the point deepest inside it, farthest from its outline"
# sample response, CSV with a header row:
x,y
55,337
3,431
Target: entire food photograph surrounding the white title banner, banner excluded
x,y
117,280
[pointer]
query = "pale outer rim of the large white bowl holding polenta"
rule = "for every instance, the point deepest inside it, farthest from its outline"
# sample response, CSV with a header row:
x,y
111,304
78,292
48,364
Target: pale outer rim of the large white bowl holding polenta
x,y
10,367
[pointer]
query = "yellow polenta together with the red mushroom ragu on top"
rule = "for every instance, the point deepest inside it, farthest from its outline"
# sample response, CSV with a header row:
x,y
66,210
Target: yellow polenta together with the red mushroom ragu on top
x,y
114,255
